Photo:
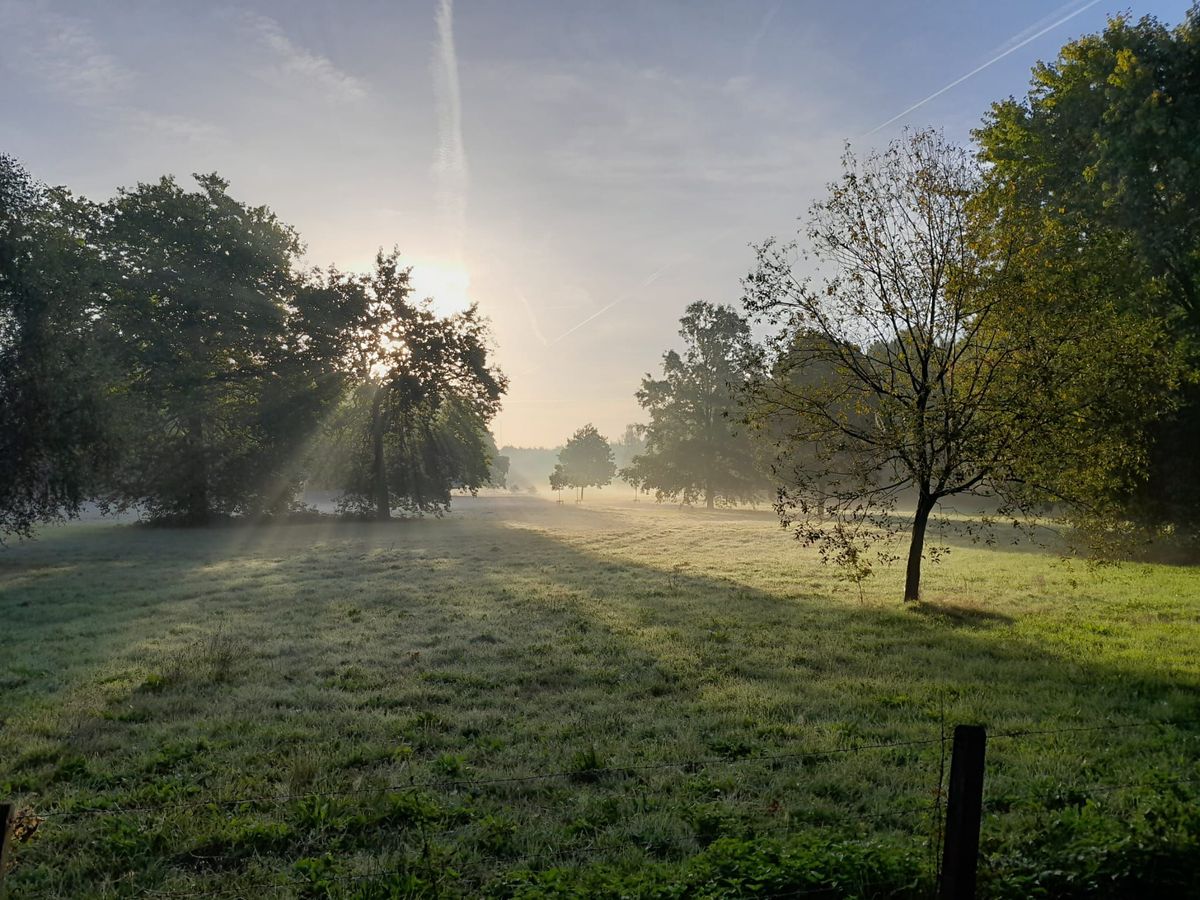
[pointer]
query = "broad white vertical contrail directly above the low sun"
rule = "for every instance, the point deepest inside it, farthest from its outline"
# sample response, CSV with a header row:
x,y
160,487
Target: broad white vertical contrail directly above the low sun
x,y
451,166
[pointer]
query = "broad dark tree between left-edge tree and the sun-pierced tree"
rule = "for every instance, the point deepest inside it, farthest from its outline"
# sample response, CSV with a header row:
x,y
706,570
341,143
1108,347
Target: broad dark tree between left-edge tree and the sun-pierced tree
x,y
224,385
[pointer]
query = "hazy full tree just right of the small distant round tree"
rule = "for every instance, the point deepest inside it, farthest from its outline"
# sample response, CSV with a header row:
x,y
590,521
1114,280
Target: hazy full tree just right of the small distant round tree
x,y
695,447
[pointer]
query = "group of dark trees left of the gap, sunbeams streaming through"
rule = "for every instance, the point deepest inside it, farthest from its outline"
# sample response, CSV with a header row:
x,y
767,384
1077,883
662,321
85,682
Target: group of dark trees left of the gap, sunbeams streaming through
x,y
166,350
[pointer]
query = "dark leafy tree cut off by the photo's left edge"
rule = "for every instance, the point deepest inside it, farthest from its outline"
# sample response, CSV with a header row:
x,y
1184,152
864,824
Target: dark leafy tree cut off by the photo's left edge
x,y
55,375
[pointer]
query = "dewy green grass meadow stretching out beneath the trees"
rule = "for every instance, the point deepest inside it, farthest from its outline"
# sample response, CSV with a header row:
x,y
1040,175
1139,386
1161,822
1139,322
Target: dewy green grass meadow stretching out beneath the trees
x,y
371,687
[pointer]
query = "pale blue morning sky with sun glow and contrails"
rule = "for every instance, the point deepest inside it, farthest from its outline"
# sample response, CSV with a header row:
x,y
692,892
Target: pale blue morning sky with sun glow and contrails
x,y
581,171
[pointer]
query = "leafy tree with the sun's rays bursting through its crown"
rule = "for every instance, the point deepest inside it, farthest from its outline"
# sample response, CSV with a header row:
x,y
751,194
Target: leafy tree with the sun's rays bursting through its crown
x,y
422,392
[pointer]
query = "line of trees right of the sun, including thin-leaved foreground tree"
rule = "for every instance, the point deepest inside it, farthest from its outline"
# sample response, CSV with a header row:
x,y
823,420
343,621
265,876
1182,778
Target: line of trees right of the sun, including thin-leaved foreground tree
x,y
1021,325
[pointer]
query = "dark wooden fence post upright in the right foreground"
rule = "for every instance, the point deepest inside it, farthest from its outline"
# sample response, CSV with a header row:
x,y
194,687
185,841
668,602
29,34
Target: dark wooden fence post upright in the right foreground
x,y
964,811
